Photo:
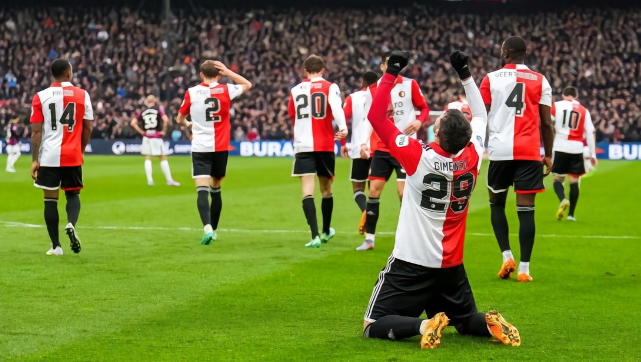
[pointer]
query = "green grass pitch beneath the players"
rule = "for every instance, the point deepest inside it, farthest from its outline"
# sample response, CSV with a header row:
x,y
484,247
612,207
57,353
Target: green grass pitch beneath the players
x,y
158,295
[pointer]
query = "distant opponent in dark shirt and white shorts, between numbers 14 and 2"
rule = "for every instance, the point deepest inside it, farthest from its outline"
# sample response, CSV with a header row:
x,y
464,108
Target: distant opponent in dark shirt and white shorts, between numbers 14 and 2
x,y
154,128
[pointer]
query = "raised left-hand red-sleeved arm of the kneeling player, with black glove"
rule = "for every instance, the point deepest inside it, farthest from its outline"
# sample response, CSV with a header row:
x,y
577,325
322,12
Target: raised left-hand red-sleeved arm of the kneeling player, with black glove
x,y
402,147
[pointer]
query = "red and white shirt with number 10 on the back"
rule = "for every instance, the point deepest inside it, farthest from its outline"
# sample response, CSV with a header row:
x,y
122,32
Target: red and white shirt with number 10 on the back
x,y
572,124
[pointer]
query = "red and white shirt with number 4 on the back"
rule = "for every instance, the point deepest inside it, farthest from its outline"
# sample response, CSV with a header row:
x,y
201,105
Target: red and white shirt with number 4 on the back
x,y
515,93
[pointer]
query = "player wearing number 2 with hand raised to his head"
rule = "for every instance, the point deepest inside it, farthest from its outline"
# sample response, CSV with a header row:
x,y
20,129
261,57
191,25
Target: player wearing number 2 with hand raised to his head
x,y
208,104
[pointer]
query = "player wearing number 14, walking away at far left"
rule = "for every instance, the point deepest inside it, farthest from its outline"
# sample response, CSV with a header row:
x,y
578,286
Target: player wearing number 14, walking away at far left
x,y
61,123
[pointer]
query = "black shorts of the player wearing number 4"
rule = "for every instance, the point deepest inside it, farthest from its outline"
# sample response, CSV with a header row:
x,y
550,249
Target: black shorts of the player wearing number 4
x,y
526,176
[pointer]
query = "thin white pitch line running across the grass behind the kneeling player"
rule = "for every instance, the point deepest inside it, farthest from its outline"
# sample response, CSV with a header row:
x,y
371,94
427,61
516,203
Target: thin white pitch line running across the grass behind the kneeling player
x,y
288,231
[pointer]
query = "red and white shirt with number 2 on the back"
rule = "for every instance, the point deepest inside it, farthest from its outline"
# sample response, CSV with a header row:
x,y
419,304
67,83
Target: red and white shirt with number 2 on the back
x,y
209,106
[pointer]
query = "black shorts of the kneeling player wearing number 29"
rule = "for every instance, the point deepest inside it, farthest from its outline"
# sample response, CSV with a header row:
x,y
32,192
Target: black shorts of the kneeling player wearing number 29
x,y
408,289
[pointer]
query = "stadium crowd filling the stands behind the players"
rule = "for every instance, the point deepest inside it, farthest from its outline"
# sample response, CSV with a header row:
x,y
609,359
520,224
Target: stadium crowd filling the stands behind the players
x,y
119,56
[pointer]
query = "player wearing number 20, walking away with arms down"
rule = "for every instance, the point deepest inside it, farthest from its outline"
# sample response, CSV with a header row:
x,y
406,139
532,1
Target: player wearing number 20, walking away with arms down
x,y
313,105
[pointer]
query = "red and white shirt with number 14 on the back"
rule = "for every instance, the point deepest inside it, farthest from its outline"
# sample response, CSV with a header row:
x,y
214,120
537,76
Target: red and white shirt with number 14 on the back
x,y
61,108
